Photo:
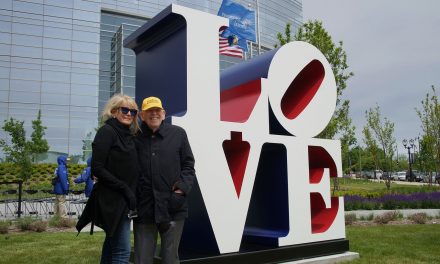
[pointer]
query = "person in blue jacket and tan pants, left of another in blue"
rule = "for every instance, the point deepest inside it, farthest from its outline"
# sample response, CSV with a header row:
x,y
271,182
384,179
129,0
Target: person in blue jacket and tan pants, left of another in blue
x,y
61,187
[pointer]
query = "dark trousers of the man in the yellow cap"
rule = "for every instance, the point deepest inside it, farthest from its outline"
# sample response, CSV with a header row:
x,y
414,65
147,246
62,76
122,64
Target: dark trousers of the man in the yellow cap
x,y
145,241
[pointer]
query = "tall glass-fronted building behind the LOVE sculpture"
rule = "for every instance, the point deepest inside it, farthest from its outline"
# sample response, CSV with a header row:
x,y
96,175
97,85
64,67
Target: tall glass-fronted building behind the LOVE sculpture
x,y
66,57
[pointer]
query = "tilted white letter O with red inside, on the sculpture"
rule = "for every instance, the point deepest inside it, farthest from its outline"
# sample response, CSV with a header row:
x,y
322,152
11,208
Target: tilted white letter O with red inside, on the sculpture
x,y
302,89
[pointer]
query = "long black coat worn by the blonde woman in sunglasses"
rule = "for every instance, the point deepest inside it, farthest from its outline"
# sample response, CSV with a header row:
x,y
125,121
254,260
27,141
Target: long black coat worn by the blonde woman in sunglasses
x,y
114,164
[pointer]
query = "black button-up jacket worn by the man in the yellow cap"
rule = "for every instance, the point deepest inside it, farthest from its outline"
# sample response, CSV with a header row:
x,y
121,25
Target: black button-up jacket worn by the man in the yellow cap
x,y
166,163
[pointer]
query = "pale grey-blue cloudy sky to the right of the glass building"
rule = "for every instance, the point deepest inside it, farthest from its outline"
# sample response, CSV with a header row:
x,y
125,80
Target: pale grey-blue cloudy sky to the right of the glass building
x,y
393,48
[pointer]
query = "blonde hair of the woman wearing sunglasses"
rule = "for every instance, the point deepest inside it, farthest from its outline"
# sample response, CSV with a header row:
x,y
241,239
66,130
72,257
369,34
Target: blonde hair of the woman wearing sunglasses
x,y
116,101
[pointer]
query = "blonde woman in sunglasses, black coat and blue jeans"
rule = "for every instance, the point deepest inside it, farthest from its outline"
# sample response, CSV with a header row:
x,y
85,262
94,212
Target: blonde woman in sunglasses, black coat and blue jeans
x,y
114,164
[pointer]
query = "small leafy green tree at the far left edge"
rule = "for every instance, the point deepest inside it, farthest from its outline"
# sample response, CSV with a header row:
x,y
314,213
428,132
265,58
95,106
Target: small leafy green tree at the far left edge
x,y
18,152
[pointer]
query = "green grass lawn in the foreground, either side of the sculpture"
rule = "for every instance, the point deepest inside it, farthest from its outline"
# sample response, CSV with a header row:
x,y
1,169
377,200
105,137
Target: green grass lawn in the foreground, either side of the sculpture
x,y
388,244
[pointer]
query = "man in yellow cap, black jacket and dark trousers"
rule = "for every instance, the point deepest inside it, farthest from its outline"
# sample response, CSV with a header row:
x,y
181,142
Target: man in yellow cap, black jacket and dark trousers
x,y
167,175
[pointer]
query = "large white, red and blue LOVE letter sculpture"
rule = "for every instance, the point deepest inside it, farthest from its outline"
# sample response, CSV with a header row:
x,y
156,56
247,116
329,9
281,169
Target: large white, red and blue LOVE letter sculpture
x,y
263,191
